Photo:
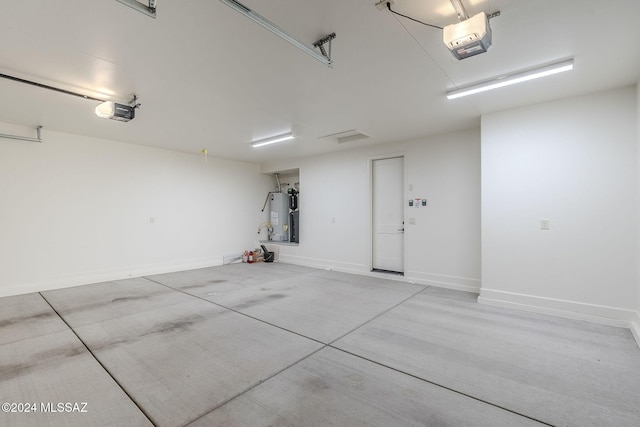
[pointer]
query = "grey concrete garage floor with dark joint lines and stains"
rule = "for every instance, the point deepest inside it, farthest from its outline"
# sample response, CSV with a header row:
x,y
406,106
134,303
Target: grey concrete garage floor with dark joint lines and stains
x,y
283,345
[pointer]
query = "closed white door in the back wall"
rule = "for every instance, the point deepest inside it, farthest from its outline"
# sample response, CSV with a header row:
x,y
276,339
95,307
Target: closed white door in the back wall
x,y
388,214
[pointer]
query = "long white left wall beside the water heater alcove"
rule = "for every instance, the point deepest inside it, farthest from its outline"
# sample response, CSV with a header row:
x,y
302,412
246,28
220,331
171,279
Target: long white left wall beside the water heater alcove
x,y
77,210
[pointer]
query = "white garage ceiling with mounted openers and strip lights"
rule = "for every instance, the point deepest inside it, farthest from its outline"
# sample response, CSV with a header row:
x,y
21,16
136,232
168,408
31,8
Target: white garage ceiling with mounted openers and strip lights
x,y
208,77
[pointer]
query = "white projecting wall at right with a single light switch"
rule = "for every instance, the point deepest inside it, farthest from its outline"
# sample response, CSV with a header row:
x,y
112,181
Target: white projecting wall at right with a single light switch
x,y
575,163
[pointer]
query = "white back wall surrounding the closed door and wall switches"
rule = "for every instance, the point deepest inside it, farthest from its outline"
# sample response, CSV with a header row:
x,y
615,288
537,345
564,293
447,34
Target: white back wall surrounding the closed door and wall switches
x,y
442,248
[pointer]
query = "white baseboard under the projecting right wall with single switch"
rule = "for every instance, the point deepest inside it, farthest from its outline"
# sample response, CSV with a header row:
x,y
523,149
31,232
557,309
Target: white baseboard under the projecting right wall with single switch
x,y
606,315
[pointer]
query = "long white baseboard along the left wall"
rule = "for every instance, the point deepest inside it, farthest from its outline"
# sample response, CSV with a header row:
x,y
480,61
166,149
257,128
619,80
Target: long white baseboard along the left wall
x,y
88,277
